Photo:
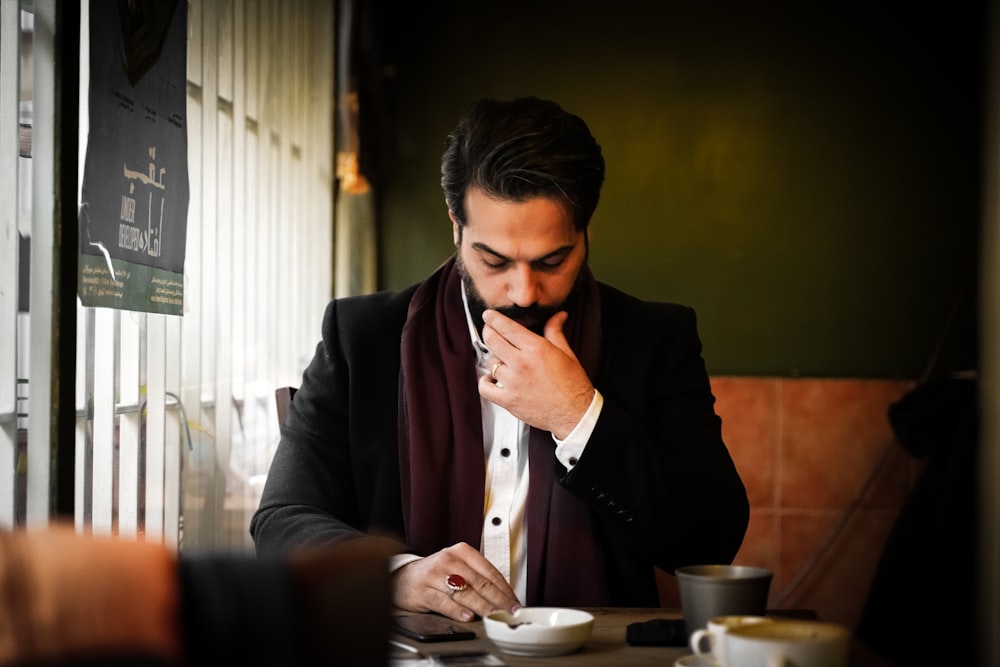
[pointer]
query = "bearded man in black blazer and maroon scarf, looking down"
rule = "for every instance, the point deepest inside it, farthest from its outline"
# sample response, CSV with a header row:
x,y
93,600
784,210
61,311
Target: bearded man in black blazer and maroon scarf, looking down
x,y
529,435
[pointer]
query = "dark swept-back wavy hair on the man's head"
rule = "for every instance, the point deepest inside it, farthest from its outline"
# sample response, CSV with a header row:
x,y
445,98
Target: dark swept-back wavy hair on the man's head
x,y
520,149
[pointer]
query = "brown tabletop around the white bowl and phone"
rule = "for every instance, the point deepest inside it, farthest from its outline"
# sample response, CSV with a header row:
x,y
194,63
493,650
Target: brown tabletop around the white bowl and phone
x,y
606,645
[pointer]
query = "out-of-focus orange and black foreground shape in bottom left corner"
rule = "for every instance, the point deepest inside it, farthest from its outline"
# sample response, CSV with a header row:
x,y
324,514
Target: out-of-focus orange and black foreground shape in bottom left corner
x,y
69,598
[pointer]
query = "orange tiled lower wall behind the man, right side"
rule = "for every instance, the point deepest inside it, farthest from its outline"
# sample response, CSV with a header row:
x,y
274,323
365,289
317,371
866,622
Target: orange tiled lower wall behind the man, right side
x,y
826,479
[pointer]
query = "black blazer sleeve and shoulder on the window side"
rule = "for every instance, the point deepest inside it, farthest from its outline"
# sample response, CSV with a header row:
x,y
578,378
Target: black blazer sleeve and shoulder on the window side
x,y
335,473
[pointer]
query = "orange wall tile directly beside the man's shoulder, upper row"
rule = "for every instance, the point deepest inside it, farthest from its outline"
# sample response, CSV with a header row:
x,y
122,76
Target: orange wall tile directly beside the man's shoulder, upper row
x,y
749,411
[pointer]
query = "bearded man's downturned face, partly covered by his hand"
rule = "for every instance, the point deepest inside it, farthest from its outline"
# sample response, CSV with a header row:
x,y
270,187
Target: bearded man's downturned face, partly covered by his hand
x,y
519,258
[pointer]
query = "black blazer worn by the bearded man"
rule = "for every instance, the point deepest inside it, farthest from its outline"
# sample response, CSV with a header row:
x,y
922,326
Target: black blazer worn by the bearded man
x,y
662,485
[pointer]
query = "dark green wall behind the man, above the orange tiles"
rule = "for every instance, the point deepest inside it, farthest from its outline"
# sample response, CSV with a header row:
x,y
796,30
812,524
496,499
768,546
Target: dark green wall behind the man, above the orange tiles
x,y
807,179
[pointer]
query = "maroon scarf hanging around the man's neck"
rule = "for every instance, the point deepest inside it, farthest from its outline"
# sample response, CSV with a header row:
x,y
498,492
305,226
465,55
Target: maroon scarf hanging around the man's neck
x,y
442,462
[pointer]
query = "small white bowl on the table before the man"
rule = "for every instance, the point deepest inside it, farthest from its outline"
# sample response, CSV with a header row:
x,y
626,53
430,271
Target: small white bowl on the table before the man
x,y
539,631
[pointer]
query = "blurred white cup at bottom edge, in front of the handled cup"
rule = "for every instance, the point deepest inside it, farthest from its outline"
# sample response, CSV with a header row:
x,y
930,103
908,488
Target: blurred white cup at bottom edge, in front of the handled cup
x,y
787,643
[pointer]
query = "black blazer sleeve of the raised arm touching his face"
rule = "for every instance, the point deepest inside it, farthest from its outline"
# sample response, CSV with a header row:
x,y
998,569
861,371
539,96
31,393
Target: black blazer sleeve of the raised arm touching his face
x,y
656,470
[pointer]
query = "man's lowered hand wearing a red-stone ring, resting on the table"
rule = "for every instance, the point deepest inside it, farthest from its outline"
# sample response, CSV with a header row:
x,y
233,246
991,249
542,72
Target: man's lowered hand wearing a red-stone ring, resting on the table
x,y
423,585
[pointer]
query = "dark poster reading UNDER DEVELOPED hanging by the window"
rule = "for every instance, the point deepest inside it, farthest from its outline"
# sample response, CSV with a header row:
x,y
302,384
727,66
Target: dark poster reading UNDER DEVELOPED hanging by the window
x,y
134,201
